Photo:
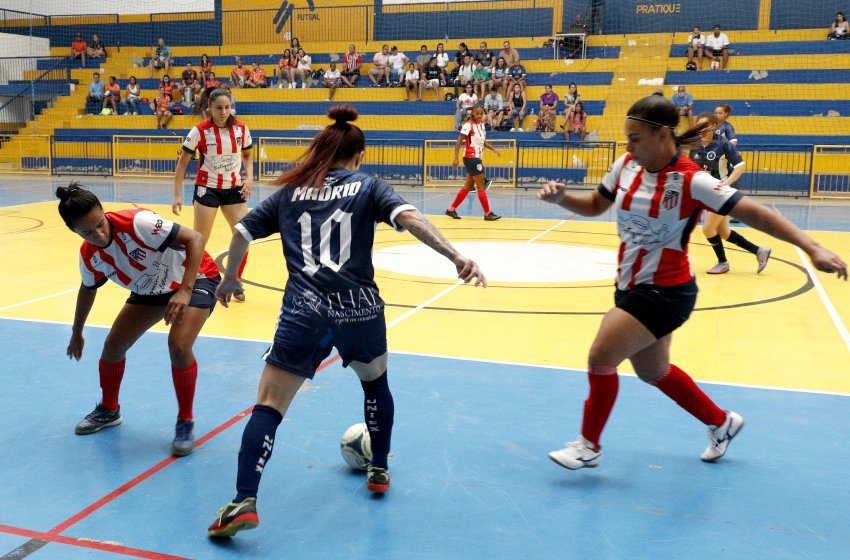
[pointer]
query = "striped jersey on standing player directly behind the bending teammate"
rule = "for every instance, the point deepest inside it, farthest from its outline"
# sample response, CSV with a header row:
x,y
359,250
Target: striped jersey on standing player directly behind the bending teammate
x,y
220,161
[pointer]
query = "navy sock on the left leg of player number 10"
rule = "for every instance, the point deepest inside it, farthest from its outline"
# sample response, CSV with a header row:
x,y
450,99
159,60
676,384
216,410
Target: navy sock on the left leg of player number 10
x,y
256,449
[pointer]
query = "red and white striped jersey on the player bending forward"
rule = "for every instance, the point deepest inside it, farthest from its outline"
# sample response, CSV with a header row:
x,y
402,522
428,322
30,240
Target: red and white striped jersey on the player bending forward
x,y
140,256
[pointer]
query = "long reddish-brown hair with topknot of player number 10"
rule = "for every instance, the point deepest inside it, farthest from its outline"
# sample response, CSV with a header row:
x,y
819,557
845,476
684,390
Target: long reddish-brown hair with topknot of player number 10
x,y
337,143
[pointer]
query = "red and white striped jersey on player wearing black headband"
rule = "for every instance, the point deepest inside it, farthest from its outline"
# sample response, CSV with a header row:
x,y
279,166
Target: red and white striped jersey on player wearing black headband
x,y
656,213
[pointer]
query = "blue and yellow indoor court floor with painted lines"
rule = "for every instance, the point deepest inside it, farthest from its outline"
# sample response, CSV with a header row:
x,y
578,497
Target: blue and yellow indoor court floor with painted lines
x,y
486,382
